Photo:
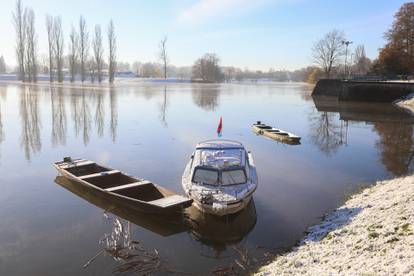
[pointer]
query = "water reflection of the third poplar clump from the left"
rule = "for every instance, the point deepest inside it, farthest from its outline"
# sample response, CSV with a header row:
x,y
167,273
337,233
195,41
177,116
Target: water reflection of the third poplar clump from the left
x,y
81,115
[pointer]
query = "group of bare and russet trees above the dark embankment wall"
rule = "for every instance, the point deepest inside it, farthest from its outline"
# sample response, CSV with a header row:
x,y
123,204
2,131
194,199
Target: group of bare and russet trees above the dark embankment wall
x,y
396,59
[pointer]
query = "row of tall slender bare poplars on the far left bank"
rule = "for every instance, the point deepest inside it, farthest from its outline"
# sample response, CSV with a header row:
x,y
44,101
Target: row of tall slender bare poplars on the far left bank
x,y
79,61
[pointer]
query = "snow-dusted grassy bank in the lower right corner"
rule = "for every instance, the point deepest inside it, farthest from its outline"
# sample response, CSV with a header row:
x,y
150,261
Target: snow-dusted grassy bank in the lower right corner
x,y
371,234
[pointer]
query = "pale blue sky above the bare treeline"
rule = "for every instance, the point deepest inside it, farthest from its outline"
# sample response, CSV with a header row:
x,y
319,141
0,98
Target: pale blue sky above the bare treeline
x,y
253,34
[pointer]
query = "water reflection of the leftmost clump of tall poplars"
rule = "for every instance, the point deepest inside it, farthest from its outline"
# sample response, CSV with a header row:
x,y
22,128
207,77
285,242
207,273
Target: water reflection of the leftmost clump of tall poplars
x,y
30,121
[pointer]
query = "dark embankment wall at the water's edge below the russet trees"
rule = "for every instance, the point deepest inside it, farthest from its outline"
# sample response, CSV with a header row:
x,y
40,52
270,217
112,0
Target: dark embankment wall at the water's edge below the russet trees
x,y
363,90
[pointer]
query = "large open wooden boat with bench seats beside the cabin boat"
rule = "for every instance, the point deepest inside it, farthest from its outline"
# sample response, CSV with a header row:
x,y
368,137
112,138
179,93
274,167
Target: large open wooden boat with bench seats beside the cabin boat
x,y
140,194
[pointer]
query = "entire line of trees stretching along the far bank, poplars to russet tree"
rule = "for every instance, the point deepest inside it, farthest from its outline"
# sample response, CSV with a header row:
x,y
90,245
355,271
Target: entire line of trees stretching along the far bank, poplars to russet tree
x,y
333,56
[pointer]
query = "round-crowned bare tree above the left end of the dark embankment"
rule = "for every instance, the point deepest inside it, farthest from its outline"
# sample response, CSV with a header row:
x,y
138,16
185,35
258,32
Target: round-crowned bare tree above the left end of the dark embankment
x,y
328,51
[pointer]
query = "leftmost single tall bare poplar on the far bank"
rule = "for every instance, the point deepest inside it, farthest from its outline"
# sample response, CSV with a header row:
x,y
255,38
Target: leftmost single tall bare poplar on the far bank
x,y
19,20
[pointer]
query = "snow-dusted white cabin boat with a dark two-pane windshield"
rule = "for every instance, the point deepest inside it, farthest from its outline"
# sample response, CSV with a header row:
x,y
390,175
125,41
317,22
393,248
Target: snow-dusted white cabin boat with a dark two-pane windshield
x,y
220,177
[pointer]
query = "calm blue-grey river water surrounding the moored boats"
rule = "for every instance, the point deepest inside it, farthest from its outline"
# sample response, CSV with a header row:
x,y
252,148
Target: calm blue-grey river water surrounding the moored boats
x,y
46,228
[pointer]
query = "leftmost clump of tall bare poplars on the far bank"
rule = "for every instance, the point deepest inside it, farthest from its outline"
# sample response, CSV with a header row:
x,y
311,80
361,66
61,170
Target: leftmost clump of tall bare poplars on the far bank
x,y
26,42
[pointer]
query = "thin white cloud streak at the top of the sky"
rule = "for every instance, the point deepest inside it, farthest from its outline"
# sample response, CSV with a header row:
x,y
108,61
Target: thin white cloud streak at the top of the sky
x,y
205,10
